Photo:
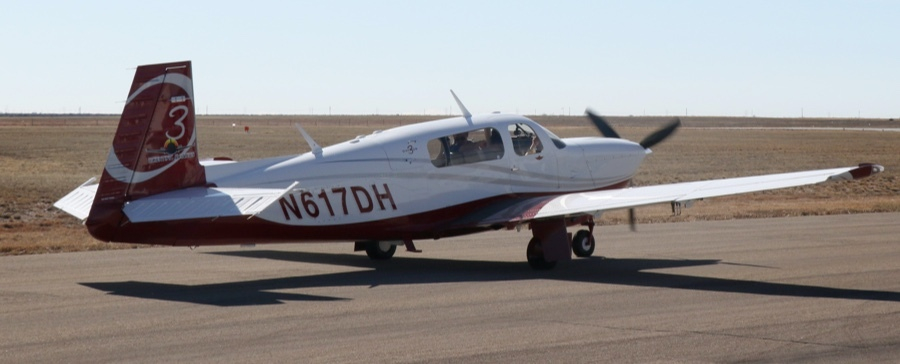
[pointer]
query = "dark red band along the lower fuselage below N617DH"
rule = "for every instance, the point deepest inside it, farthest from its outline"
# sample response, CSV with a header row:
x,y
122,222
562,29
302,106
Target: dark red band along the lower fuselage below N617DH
x,y
445,222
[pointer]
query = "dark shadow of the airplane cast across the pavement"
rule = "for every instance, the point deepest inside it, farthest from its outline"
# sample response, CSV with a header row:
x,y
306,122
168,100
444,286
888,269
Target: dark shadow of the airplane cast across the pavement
x,y
403,270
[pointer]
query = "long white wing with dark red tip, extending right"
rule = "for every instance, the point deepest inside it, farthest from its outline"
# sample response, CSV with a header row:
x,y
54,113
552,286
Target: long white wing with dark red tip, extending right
x,y
573,204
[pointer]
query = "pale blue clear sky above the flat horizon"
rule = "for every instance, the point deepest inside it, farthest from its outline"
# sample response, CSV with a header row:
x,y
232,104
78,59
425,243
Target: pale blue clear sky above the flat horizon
x,y
729,58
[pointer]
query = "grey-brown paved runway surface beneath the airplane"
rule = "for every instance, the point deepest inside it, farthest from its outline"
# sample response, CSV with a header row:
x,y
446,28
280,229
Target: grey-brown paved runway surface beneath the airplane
x,y
806,289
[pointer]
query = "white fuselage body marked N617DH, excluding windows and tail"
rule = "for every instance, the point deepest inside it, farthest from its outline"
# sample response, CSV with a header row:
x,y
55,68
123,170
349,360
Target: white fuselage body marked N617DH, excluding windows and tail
x,y
389,176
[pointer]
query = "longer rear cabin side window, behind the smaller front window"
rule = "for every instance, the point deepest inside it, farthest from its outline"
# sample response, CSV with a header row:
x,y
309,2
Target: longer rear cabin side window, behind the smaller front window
x,y
466,147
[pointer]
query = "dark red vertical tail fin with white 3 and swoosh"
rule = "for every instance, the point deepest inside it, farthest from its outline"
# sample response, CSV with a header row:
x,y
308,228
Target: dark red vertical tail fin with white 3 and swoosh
x,y
155,147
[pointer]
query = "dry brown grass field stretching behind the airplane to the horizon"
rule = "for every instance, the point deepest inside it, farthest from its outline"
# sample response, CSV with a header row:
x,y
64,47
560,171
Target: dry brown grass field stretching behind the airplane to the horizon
x,y
42,158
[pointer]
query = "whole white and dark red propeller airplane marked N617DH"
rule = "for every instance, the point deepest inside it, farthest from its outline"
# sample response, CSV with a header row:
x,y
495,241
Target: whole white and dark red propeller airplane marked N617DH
x,y
429,180
